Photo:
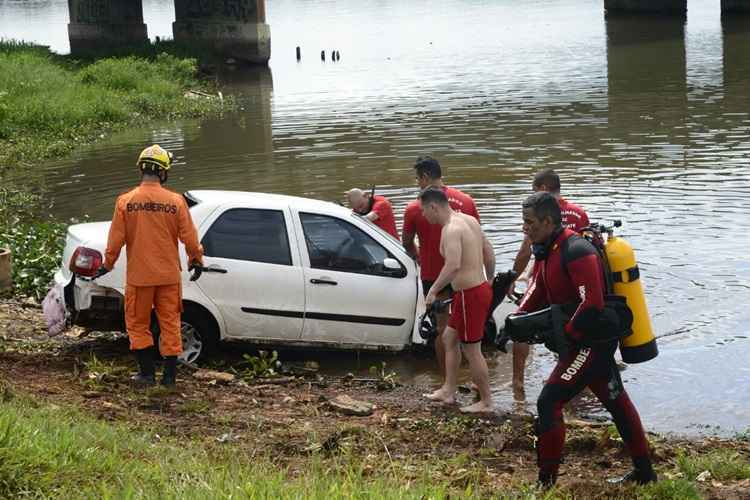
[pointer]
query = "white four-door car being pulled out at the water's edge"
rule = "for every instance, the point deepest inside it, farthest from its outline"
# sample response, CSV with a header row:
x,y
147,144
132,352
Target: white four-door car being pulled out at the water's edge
x,y
286,271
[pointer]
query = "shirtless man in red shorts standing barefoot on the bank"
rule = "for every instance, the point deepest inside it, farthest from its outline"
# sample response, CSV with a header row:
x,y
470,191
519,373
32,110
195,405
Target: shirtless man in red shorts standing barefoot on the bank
x,y
469,260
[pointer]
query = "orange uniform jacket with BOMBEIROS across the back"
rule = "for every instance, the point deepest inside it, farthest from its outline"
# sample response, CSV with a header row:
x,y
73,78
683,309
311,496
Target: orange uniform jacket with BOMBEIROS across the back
x,y
149,220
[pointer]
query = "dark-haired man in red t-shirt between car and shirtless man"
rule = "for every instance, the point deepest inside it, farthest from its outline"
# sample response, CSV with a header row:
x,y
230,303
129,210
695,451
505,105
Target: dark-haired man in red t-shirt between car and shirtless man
x,y
428,173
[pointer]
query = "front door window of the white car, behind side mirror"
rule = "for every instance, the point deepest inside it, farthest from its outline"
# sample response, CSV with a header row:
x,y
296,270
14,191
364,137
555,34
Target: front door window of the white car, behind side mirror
x,y
338,245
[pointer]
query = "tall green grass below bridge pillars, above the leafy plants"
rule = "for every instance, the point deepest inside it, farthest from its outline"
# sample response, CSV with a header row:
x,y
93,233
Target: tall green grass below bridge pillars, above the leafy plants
x,y
49,103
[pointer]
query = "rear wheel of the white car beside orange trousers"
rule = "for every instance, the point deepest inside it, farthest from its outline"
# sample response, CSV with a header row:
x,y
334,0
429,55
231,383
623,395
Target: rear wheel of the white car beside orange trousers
x,y
200,335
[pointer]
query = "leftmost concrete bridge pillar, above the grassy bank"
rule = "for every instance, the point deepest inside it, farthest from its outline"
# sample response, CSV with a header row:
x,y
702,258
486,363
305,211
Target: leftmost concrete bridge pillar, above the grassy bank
x,y
96,24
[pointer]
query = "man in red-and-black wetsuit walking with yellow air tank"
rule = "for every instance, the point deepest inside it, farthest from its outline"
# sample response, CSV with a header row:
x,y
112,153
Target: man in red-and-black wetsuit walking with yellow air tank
x,y
568,270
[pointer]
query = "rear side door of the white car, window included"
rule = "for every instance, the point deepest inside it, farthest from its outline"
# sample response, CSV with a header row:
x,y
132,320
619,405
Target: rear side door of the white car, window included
x,y
261,295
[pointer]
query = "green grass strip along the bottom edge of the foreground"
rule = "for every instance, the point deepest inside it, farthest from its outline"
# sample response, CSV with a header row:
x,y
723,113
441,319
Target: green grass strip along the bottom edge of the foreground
x,y
57,452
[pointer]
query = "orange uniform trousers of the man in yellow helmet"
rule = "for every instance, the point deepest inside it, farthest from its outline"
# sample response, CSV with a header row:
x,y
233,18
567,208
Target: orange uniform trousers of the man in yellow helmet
x,y
167,301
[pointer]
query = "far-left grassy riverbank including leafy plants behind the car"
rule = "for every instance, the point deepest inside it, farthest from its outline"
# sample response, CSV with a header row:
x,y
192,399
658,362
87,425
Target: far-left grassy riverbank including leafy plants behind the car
x,y
50,105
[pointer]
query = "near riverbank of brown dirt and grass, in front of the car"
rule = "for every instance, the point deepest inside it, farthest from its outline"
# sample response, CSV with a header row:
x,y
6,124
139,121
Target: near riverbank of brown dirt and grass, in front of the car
x,y
71,425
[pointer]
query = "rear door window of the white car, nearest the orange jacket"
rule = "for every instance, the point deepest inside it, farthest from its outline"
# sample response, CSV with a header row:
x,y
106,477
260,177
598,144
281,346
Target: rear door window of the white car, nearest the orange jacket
x,y
249,234
